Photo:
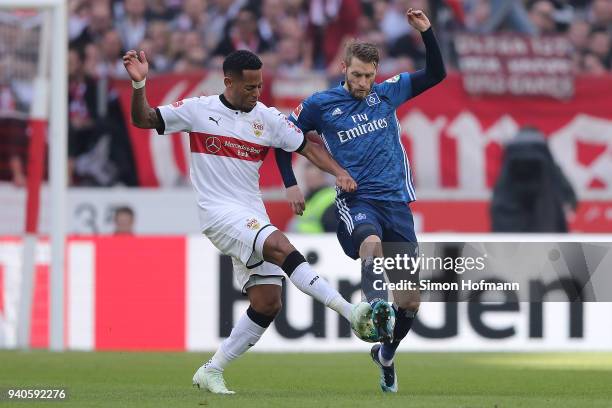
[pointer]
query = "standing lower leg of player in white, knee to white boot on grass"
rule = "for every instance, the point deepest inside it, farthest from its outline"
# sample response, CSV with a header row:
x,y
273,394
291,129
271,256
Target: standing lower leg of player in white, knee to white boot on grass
x,y
265,303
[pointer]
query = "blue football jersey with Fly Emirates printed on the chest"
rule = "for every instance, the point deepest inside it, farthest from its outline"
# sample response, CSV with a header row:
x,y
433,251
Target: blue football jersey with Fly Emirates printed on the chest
x,y
363,136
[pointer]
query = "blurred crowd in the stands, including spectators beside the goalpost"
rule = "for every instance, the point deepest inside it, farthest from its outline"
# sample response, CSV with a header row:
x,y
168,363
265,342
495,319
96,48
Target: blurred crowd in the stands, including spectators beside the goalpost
x,y
293,37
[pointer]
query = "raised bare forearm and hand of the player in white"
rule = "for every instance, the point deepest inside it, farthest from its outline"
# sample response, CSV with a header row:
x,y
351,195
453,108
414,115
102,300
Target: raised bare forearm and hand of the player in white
x,y
143,116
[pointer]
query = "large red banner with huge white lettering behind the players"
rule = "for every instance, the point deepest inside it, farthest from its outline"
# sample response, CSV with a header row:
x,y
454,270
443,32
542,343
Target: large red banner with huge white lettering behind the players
x,y
454,140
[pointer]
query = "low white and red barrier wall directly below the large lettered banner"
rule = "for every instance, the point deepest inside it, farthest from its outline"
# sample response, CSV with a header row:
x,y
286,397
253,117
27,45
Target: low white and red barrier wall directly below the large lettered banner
x,y
90,211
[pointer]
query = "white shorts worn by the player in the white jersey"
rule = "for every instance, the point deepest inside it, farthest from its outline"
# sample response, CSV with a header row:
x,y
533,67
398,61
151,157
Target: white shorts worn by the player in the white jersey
x,y
241,234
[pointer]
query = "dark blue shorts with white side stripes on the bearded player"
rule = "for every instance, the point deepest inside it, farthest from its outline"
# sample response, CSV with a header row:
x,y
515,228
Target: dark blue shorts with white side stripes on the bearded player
x,y
392,220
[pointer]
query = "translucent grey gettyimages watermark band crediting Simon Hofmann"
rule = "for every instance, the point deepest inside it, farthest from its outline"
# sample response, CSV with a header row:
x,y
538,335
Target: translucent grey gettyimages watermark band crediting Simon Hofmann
x,y
500,271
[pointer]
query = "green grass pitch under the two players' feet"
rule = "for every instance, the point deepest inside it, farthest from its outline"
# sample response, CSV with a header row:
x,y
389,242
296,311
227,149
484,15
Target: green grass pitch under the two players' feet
x,y
470,380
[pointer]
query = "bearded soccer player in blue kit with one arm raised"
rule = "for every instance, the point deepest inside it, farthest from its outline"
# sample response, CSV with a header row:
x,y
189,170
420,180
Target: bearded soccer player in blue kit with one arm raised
x,y
358,125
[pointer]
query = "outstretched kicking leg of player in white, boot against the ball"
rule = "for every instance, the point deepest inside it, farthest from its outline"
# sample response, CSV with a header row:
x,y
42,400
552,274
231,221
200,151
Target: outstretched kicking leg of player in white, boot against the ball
x,y
278,250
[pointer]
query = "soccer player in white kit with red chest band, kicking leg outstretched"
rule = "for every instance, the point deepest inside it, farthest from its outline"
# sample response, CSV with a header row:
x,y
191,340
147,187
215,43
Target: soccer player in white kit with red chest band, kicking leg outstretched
x,y
230,135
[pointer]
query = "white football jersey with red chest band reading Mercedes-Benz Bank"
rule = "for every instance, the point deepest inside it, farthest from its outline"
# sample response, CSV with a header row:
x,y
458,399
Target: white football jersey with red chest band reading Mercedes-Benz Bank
x,y
227,149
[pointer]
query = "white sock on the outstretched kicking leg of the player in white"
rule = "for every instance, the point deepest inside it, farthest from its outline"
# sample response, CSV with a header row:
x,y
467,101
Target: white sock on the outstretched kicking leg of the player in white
x,y
307,280
